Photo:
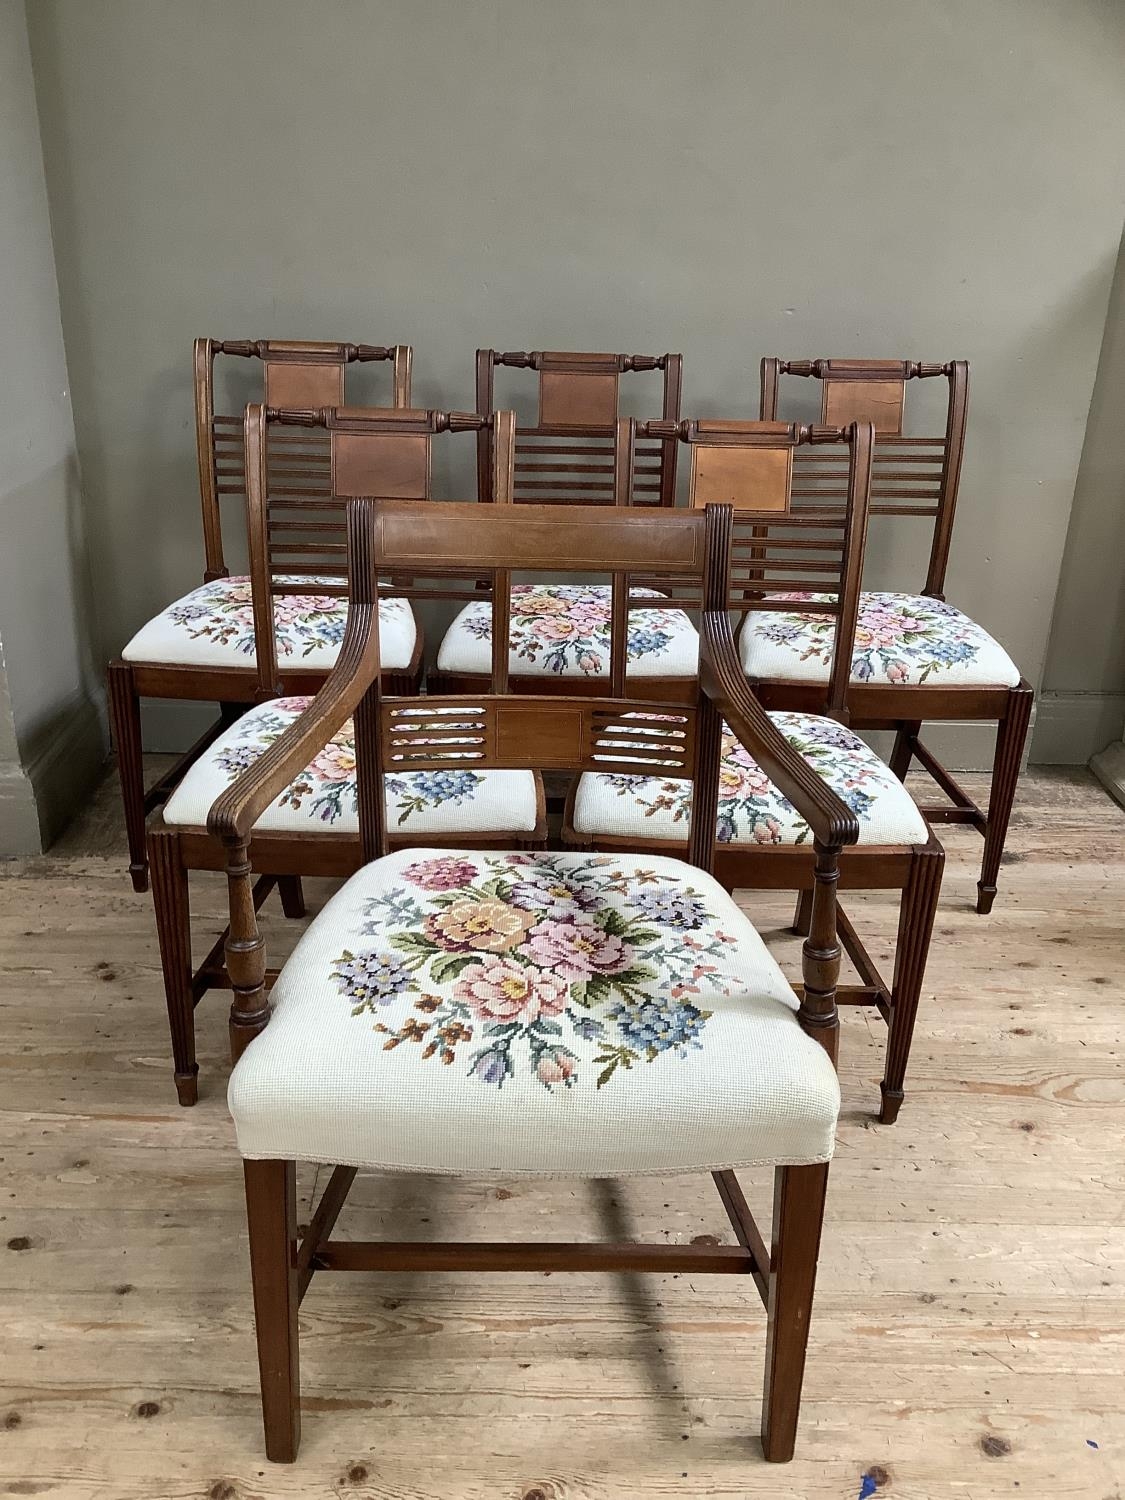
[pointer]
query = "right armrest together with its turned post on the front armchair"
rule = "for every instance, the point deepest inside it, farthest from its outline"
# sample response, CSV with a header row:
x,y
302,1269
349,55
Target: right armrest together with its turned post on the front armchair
x,y
835,826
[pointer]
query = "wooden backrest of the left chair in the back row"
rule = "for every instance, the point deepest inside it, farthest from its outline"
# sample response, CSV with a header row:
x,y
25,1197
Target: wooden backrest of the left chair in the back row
x,y
293,374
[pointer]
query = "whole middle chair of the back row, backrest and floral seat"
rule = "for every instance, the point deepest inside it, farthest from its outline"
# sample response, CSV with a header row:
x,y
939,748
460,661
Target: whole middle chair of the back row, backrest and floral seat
x,y
560,631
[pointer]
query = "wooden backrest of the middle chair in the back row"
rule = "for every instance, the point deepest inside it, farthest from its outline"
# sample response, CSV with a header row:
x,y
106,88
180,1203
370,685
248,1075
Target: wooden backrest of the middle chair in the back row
x,y
568,457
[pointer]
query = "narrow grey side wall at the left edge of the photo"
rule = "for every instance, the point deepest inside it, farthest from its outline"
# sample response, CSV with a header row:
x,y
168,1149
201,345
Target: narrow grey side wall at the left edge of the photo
x,y
52,742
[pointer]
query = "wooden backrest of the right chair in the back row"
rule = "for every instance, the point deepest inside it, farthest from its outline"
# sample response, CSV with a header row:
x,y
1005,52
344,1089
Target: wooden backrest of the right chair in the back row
x,y
913,476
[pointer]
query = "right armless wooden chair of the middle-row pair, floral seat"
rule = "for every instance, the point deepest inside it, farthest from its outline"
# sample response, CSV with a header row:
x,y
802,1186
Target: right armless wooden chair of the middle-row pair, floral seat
x,y
763,842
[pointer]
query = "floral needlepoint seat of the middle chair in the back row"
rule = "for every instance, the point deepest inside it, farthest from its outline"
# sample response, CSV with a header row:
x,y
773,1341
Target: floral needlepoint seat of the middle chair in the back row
x,y
563,631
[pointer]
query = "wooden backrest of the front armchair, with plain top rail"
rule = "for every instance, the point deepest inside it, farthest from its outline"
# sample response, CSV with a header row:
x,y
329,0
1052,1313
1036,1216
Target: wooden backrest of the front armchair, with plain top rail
x,y
625,733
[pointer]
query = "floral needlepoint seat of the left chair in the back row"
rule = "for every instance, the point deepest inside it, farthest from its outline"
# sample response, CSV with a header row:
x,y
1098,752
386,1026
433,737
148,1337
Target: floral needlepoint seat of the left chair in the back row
x,y
214,626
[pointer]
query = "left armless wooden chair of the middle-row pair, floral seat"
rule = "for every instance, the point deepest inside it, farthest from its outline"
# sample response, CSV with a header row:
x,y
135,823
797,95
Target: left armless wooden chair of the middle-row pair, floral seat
x,y
314,824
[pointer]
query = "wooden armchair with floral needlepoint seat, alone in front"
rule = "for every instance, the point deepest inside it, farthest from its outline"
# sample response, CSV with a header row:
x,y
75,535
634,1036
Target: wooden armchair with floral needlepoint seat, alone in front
x,y
514,1013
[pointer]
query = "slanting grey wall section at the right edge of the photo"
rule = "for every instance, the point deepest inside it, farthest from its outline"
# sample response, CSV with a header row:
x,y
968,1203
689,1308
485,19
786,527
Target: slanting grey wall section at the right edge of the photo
x,y
1084,685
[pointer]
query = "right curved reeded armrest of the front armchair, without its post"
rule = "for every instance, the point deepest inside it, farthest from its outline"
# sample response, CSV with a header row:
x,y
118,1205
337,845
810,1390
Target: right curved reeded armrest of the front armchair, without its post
x,y
724,682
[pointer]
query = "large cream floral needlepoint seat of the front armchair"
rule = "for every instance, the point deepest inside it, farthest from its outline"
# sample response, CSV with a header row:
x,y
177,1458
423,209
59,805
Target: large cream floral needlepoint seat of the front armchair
x,y
533,1015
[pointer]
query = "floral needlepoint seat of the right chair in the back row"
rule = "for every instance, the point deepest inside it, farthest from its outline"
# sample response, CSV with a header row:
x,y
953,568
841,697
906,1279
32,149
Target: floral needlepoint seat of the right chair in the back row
x,y
904,640
